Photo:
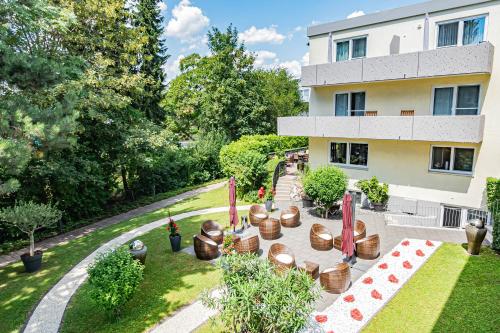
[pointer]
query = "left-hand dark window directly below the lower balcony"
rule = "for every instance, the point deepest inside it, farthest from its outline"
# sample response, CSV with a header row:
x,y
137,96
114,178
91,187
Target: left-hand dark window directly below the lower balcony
x,y
355,154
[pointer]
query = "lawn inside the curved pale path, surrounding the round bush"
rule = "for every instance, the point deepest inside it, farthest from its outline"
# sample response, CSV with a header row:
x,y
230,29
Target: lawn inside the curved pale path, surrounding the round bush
x,y
170,281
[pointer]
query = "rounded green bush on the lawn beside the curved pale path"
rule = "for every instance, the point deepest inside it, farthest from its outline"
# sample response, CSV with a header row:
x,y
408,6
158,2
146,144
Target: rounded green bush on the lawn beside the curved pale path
x,y
113,279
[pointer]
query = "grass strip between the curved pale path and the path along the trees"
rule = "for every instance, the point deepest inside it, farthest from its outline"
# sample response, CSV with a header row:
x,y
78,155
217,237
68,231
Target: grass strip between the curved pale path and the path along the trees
x,y
20,292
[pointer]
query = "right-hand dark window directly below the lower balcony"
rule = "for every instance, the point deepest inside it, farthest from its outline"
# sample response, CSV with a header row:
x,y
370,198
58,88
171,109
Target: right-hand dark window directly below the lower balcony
x,y
452,159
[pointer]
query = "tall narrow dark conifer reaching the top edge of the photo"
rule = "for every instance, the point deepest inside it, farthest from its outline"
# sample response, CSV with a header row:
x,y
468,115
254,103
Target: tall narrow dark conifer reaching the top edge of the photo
x,y
152,58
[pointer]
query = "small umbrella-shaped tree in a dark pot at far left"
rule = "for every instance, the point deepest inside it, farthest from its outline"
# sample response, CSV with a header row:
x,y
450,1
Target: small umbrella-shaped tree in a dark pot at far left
x,y
30,217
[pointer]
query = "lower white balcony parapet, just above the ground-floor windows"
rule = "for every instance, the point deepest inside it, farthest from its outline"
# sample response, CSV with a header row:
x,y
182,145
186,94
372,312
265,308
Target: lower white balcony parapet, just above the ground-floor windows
x,y
465,129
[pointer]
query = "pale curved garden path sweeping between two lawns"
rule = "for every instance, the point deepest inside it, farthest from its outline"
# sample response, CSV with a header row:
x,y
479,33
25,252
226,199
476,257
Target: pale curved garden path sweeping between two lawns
x,y
47,316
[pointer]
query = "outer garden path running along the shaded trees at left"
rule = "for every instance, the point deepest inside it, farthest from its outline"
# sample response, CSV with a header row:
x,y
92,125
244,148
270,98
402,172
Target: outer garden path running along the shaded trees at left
x,y
77,233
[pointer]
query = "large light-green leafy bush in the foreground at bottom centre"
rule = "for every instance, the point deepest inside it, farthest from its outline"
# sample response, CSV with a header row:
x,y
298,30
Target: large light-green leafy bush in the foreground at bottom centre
x,y
256,299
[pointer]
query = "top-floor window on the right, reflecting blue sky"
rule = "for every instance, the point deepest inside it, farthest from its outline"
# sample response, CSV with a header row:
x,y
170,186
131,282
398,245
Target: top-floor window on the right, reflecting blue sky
x,y
461,32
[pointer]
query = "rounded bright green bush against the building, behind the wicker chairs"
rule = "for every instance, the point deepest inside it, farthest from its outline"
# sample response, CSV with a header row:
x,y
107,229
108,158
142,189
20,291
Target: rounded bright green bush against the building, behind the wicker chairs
x,y
325,186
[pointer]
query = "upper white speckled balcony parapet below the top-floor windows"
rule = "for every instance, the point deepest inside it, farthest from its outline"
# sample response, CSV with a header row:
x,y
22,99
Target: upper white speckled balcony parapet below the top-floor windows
x,y
463,60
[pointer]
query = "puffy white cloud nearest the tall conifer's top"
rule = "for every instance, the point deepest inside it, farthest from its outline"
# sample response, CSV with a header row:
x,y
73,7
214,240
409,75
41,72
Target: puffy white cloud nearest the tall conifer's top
x,y
186,22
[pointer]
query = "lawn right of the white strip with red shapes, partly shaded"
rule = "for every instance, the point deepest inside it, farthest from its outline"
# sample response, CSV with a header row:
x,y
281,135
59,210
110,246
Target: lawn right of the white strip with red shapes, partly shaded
x,y
452,292
